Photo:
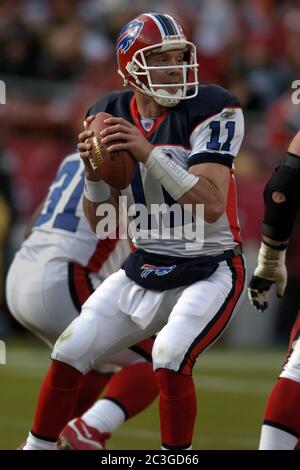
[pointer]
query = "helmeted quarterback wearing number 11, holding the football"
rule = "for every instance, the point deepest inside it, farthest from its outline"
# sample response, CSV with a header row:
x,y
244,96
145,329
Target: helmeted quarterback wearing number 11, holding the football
x,y
187,288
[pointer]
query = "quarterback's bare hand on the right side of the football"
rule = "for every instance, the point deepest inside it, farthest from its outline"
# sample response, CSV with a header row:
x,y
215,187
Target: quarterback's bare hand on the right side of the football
x,y
132,138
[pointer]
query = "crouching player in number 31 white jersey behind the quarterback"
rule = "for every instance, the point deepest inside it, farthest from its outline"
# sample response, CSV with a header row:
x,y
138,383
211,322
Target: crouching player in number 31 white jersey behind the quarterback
x,y
58,266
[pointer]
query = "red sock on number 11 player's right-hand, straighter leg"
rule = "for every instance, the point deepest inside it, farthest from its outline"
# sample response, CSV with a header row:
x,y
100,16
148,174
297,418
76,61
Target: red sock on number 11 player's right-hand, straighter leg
x,y
177,408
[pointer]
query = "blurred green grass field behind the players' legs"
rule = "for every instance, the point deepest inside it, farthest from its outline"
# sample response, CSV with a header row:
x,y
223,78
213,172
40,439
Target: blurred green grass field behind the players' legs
x,y
232,387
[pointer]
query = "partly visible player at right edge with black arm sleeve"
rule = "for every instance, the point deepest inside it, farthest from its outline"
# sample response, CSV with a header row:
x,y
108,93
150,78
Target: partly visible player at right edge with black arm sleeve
x,y
281,426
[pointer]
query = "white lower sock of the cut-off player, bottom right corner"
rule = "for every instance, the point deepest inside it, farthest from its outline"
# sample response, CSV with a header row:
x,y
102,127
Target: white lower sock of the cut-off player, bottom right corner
x,y
272,438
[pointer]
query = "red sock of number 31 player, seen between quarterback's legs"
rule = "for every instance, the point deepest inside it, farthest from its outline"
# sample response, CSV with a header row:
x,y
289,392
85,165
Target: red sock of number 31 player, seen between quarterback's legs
x,y
133,388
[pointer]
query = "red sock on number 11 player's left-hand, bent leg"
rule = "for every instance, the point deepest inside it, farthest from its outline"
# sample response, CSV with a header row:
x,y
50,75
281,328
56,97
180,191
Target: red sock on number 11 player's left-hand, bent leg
x,y
56,400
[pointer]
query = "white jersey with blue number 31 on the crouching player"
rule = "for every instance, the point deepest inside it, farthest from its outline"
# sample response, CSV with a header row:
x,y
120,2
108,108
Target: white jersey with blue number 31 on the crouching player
x,y
62,231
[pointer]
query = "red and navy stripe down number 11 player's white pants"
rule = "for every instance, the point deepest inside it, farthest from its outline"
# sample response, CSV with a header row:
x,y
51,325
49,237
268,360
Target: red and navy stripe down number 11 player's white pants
x,y
220,320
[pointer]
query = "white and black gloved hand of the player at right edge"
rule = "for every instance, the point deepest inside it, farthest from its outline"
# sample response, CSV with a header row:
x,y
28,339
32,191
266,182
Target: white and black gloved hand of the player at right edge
x,y
270,270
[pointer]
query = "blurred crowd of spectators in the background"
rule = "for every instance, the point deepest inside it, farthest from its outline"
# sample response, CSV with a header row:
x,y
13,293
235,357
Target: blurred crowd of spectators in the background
x,y
57,57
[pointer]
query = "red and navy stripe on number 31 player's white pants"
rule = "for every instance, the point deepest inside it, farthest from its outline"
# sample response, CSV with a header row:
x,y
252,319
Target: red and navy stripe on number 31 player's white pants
x,y
79,284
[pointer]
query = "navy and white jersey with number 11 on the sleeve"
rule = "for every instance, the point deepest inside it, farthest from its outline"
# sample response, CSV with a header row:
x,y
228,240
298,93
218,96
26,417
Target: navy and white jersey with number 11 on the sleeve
x,y
207,128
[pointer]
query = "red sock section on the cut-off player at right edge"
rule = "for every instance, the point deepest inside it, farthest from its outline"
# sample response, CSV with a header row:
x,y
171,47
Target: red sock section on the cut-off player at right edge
x,y
283,406
